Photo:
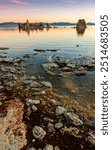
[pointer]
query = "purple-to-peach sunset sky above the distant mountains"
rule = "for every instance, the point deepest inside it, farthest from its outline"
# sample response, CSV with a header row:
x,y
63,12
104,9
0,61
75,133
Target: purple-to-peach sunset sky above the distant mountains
x,y
47,10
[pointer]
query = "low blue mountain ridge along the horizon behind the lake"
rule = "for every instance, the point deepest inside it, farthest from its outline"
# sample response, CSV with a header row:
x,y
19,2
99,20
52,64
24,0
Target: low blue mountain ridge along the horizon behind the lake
x,y
10,24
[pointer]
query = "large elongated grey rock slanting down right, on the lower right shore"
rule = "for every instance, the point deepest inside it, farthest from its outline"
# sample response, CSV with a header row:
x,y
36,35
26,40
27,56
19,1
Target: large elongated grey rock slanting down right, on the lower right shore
x,y
73,119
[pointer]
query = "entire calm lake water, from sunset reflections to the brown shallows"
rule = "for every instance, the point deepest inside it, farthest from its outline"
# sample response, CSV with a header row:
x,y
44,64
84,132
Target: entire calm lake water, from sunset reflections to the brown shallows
x,y
71,45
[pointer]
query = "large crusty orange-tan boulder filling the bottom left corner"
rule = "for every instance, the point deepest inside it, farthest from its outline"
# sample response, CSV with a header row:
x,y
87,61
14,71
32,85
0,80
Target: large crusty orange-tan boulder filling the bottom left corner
x,y
12,129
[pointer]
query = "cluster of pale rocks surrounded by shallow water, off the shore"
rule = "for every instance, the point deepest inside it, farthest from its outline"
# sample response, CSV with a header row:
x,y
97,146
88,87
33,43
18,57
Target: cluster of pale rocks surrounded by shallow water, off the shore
x,y
61,66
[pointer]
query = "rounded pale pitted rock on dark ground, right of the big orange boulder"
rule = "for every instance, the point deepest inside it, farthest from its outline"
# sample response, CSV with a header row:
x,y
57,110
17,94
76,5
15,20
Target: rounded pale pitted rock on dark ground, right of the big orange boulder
x,y
38,132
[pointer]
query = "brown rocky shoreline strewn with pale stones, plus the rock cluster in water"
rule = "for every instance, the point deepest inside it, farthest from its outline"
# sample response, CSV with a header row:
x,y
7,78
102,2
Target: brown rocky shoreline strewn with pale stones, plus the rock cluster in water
x,y
34,117
